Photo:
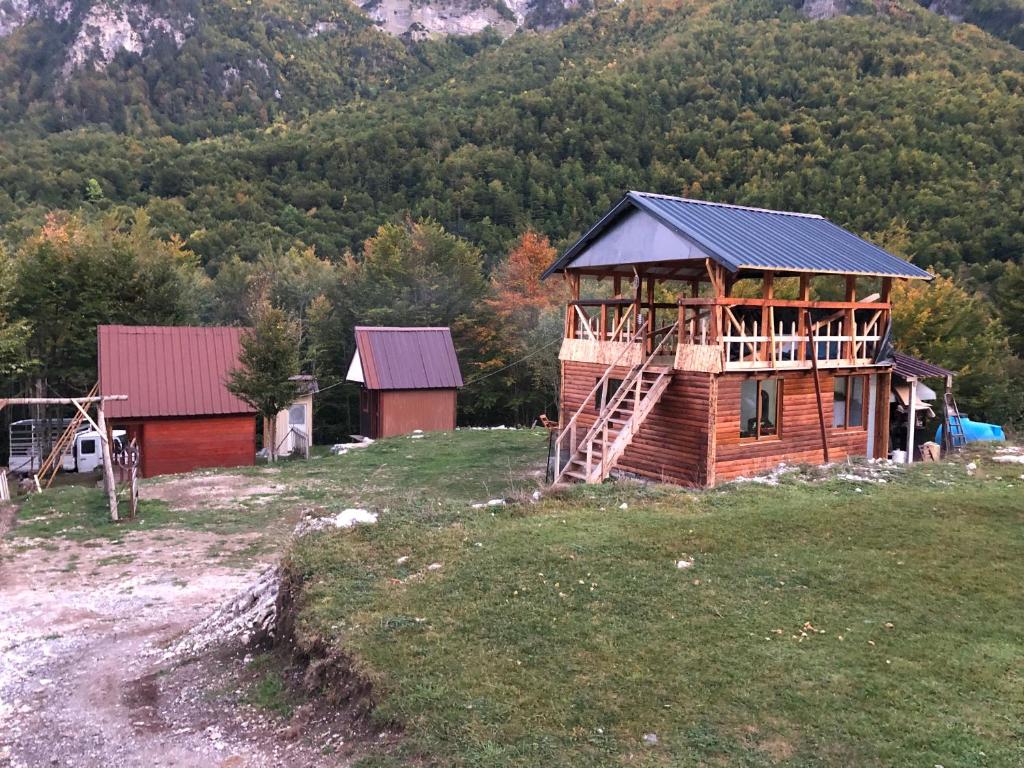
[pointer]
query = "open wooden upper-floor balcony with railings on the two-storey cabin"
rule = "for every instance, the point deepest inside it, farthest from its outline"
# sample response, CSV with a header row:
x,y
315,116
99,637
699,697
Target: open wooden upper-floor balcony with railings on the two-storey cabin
x,y
728,333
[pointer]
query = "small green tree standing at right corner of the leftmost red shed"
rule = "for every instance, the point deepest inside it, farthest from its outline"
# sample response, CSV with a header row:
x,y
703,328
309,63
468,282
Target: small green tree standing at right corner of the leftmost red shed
x,y
270,358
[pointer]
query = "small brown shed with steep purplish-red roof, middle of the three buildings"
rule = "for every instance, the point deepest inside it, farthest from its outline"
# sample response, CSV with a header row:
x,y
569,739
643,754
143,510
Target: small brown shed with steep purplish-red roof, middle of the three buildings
x,y
409,379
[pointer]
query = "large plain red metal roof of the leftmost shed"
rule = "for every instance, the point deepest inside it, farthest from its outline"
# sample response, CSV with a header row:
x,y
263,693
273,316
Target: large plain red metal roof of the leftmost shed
x,y
169,371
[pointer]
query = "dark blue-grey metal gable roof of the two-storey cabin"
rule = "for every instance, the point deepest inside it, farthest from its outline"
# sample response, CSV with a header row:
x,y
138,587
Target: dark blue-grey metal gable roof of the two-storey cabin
x,y
737,237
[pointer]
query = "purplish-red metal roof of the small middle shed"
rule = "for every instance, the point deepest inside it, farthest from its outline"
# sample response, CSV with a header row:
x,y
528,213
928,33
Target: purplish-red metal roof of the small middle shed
x,y
408,358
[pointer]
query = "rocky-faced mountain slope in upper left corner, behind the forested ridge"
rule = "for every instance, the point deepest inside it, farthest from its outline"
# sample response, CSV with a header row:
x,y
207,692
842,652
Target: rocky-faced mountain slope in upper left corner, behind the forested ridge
x,y
186,67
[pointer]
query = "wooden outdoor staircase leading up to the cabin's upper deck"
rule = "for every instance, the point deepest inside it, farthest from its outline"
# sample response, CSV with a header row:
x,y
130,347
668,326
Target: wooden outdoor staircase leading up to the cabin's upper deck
x,y
592,458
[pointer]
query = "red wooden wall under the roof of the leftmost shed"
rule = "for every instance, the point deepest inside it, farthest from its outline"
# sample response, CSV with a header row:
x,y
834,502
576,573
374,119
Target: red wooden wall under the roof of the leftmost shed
x,y
181,445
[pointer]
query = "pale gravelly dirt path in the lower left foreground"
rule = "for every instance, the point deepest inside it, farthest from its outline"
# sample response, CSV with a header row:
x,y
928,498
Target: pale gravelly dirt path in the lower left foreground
x,y
83,678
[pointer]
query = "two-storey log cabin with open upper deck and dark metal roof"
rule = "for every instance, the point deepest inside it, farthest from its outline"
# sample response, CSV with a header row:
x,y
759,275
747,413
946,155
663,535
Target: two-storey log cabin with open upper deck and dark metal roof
x,y
705,343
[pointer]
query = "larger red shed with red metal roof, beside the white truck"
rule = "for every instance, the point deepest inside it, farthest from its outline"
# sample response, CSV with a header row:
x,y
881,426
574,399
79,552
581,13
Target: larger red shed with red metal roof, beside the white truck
x,y
179,407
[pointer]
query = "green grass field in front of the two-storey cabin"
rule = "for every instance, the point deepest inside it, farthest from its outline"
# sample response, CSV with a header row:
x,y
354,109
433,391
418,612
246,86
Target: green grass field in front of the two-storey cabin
x,y
823,622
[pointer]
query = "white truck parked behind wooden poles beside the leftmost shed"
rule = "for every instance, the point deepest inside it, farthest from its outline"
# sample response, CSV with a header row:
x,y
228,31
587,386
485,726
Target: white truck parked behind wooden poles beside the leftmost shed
x,y
30,445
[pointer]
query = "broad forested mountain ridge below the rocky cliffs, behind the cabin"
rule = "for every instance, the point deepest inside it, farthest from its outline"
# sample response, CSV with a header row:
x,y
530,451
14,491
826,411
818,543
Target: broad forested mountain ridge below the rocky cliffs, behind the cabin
x,y
904,127
